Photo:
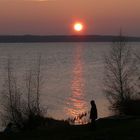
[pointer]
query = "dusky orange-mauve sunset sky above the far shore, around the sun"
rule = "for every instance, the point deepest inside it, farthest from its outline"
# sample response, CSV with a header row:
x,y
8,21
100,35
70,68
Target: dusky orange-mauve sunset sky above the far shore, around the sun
x,y
48,17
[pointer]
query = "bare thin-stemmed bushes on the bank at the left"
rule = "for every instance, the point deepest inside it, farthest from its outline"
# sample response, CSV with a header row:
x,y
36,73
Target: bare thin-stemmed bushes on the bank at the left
x,y
22,109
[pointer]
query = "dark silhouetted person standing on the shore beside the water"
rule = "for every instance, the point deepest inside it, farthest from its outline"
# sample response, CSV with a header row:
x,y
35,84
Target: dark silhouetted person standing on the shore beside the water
x,y
93,114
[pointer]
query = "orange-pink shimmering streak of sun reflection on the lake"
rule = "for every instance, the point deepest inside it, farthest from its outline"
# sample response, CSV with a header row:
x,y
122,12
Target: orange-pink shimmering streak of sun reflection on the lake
x,y
76,101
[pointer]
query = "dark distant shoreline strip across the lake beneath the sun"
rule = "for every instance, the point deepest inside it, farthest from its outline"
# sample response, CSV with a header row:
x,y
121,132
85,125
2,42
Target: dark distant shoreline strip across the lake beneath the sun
x,y
62,38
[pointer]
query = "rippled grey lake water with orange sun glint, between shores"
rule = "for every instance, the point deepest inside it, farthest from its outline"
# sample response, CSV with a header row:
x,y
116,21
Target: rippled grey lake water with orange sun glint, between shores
x,y
72,74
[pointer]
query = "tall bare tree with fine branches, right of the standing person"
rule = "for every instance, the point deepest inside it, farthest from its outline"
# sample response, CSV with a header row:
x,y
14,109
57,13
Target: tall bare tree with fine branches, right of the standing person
x,y
120,73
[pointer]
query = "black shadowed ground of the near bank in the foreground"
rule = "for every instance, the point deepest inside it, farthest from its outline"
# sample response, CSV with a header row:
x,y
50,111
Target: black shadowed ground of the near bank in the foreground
x,y
107,129
